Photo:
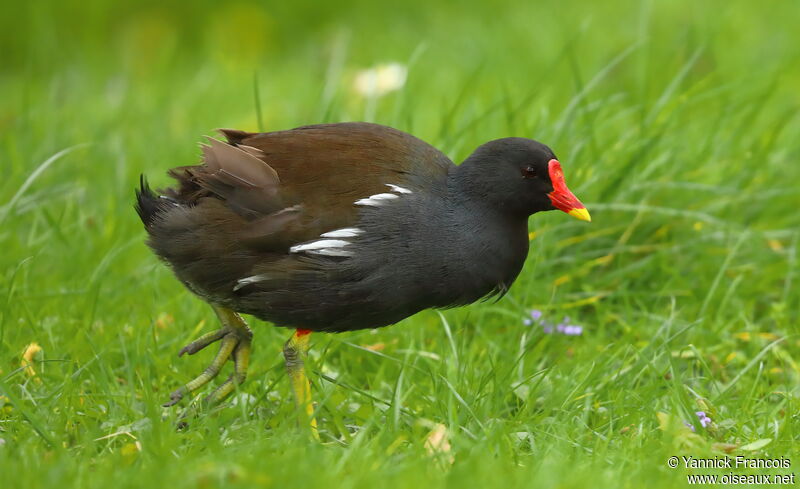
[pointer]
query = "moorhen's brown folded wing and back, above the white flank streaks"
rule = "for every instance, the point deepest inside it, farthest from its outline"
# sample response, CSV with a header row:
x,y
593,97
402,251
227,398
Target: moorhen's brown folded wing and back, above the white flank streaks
x,y
291,186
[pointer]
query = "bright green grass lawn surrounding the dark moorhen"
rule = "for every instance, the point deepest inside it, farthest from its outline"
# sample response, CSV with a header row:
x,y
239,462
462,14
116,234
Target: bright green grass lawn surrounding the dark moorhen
x,y
676,123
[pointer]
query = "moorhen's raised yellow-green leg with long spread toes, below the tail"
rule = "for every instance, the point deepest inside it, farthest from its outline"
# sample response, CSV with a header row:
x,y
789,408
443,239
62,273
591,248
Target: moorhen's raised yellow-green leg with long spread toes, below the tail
x,y
235,343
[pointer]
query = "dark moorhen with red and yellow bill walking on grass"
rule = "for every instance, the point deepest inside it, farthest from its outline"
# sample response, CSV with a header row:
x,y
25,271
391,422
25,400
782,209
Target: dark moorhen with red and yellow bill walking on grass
x,y
339,227
